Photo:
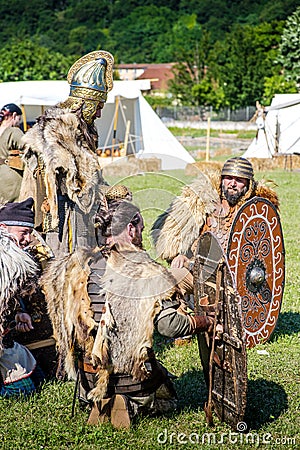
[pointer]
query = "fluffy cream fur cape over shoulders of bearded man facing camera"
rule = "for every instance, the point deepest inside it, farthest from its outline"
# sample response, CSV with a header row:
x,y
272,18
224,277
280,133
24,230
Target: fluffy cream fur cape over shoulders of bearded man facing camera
x,y
176,229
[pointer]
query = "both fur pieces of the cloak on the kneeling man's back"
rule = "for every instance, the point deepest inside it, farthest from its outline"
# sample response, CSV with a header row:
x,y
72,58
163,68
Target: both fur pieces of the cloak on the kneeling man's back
x,y
135,286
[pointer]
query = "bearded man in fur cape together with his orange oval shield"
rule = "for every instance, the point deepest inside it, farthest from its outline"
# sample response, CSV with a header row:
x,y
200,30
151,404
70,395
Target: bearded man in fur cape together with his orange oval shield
x,y
222,204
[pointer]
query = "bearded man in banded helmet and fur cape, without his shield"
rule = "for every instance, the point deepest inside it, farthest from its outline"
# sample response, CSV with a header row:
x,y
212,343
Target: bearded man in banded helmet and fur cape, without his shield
x,y
208,204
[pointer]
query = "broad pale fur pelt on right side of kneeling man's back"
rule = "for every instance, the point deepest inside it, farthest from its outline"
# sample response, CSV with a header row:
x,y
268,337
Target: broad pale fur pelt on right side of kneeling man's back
x,y
135,287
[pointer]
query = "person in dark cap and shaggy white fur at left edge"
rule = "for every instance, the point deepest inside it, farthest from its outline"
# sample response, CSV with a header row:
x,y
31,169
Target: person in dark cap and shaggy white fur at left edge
x,y
19,372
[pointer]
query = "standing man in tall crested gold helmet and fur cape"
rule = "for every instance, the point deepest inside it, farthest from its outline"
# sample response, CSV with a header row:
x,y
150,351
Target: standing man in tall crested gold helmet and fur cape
x,y
62,171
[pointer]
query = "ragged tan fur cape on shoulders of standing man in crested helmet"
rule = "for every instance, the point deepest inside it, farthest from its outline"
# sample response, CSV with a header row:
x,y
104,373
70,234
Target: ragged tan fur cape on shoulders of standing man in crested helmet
x,y
58,142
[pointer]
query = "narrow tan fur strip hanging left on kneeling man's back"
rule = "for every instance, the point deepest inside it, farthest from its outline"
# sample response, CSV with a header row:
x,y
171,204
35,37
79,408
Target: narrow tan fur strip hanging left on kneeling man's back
x,y
64,283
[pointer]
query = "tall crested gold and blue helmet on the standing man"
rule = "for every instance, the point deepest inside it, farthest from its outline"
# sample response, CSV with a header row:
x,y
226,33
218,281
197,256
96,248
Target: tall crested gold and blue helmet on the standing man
x,y
90,80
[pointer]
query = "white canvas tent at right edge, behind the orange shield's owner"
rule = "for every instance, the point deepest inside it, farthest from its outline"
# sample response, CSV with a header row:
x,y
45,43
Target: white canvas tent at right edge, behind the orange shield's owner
x,y
280,132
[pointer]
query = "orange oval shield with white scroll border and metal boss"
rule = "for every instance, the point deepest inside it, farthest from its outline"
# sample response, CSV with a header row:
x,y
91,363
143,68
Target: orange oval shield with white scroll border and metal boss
x,y
256,259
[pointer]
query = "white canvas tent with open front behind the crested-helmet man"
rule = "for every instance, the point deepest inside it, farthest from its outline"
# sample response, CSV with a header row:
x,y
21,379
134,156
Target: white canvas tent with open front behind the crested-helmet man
x,y
127,117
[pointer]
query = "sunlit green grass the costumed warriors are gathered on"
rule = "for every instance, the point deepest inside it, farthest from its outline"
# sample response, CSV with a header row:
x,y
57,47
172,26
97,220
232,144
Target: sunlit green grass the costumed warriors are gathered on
x,y
44,421
